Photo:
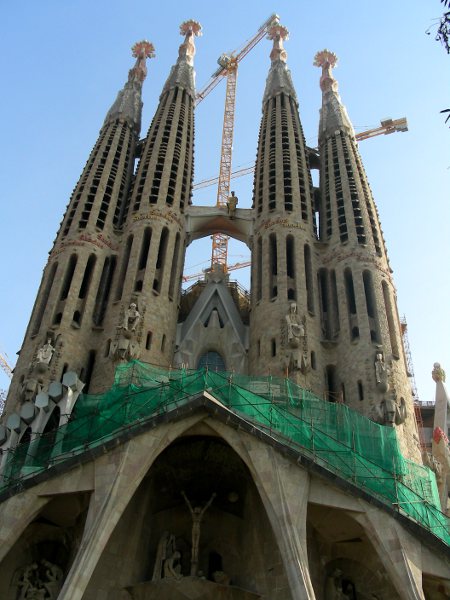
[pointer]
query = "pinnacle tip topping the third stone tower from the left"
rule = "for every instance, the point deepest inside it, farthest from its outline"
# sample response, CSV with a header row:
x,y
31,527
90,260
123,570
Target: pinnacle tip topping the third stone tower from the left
x,y
279,78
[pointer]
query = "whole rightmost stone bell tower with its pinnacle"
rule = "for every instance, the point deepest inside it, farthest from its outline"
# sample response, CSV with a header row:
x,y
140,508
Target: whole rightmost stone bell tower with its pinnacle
x,y
365,364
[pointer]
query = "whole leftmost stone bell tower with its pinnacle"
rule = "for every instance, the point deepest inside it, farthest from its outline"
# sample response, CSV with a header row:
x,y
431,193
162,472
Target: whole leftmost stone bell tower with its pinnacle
x,y
65,329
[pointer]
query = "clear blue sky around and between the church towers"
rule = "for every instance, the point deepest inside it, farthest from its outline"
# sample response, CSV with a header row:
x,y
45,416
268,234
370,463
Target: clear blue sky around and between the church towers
x,y
62,64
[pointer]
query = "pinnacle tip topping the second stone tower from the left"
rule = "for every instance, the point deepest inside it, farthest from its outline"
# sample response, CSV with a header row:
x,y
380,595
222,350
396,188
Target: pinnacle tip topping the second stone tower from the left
x,y
182,73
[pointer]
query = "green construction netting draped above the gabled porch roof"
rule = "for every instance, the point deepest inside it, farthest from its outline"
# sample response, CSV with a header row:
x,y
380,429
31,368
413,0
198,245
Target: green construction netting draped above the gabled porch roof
x,y
332,435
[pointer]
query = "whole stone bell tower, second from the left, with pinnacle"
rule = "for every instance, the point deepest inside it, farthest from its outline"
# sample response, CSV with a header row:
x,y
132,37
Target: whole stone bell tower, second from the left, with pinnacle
x,y
146,289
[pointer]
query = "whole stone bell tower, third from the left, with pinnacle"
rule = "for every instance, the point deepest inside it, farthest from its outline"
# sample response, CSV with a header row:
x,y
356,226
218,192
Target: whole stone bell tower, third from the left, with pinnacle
x,y
284,329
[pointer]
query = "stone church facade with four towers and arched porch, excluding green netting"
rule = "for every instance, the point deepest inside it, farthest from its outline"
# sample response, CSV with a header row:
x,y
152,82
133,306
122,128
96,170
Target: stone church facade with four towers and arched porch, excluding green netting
x,y
200,500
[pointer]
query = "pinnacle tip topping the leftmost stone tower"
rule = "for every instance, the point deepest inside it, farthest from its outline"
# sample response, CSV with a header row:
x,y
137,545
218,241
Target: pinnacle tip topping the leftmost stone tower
x,y
128,104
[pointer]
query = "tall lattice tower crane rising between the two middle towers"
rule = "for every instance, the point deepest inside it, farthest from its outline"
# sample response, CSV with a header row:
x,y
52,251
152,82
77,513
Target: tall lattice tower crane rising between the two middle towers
x,y
228,66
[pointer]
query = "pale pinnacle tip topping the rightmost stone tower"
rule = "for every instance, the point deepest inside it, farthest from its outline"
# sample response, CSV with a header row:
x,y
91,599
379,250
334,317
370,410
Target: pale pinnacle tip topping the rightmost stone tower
x,y
333,115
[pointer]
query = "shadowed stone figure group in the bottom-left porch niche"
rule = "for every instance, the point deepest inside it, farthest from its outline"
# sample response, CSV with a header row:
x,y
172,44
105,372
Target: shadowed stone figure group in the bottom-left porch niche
x,y
40,580
